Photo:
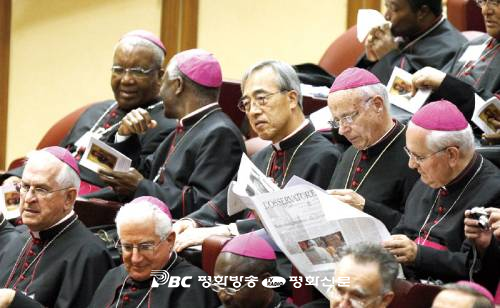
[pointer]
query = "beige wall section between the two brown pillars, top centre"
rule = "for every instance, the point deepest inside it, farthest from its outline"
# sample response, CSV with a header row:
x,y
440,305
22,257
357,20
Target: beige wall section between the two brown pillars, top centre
x,y
241,33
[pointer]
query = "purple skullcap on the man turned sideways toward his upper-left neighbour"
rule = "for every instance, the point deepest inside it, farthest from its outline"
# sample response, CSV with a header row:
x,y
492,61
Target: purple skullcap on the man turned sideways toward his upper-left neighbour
x,y
200,66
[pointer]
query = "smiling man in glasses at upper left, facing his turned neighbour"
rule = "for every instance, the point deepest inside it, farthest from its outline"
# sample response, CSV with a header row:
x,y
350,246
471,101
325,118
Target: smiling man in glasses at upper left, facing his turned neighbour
x,y
132,89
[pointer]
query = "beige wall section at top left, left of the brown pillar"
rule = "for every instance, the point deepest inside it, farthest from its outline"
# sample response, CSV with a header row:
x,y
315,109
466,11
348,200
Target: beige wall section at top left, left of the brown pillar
x,y
61,53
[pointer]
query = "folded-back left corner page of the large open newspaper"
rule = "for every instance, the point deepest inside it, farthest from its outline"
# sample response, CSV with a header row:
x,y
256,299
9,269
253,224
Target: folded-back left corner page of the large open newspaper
x,y
251,181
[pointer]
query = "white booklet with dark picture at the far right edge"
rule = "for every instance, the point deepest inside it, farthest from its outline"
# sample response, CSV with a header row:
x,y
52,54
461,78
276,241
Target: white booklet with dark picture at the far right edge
x,y
487,114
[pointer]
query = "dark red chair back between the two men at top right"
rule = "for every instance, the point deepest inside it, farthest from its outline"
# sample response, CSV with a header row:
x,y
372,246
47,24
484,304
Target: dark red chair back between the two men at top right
x,y
465,15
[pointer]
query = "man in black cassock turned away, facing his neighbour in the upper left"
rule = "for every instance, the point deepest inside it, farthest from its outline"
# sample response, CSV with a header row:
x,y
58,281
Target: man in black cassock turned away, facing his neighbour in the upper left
x,y
187,168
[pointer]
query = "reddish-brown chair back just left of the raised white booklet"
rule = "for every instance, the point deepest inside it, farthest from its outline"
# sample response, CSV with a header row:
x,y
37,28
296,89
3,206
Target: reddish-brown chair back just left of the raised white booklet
x,y
342,53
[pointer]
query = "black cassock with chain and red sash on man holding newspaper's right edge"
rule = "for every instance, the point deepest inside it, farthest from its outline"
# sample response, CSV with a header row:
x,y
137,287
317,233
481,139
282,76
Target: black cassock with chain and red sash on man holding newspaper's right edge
x,y
437,216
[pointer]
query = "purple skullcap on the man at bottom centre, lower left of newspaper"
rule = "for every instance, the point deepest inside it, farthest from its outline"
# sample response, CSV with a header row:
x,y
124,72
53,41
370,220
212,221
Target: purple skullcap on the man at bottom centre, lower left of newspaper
x,y
250,245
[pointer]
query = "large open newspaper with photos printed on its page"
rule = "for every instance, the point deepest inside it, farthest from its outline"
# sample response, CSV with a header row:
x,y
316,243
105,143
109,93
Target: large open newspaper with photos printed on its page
x,y
307,224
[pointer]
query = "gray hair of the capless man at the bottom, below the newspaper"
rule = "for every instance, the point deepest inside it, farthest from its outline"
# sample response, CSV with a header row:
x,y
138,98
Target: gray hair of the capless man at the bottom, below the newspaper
x,y
368,253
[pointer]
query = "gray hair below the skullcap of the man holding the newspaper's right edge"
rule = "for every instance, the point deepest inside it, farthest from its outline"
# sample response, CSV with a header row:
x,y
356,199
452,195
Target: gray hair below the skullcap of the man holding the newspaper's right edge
x,y
439,140
